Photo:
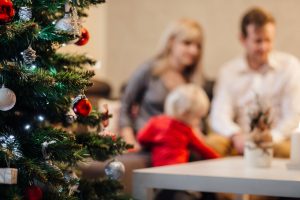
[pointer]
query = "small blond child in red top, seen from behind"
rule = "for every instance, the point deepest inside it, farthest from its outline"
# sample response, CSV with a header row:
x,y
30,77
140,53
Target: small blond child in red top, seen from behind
x,y
169,136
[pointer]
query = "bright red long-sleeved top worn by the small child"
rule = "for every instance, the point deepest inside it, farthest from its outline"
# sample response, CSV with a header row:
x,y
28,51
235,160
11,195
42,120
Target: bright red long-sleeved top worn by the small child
x,y
169,141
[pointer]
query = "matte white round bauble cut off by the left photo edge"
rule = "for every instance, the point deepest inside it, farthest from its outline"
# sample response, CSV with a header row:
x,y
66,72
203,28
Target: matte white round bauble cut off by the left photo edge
x,y
7,99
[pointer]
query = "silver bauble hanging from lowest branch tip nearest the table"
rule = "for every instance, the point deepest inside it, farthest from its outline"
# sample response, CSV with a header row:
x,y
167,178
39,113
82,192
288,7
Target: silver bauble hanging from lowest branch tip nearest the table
x,y
114,169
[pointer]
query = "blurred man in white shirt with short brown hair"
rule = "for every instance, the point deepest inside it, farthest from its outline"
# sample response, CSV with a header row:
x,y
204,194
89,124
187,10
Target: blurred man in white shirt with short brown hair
x,y
272,78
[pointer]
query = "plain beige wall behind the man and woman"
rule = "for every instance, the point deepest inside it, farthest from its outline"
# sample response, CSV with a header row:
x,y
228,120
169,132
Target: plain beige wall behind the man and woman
x,y
125,33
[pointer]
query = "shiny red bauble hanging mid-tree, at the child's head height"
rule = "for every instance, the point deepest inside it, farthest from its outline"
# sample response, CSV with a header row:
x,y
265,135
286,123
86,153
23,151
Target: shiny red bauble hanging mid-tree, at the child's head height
x,y
82,106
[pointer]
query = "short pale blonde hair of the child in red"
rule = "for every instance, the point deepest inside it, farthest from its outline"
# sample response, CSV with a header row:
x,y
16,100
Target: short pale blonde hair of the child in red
x,y
187,99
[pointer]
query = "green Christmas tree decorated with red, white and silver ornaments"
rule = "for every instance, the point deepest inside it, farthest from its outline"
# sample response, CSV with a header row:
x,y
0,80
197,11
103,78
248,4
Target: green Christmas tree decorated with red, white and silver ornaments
x,y
41,97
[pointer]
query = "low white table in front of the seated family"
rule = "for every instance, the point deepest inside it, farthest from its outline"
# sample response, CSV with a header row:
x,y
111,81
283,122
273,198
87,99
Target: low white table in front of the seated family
x,y
228,175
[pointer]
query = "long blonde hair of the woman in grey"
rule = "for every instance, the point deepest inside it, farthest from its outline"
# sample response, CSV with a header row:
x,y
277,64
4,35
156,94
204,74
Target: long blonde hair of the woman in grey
x,y
183,29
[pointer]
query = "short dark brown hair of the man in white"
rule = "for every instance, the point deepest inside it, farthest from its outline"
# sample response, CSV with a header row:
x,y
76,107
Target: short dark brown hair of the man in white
x,y
256,16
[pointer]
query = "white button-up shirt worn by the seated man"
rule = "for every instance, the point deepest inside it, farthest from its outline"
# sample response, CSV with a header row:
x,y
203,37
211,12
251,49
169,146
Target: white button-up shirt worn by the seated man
x,y
239,88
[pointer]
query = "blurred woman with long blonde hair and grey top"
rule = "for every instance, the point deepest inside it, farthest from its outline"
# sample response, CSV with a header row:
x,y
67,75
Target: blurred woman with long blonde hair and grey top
x,y
177,62
